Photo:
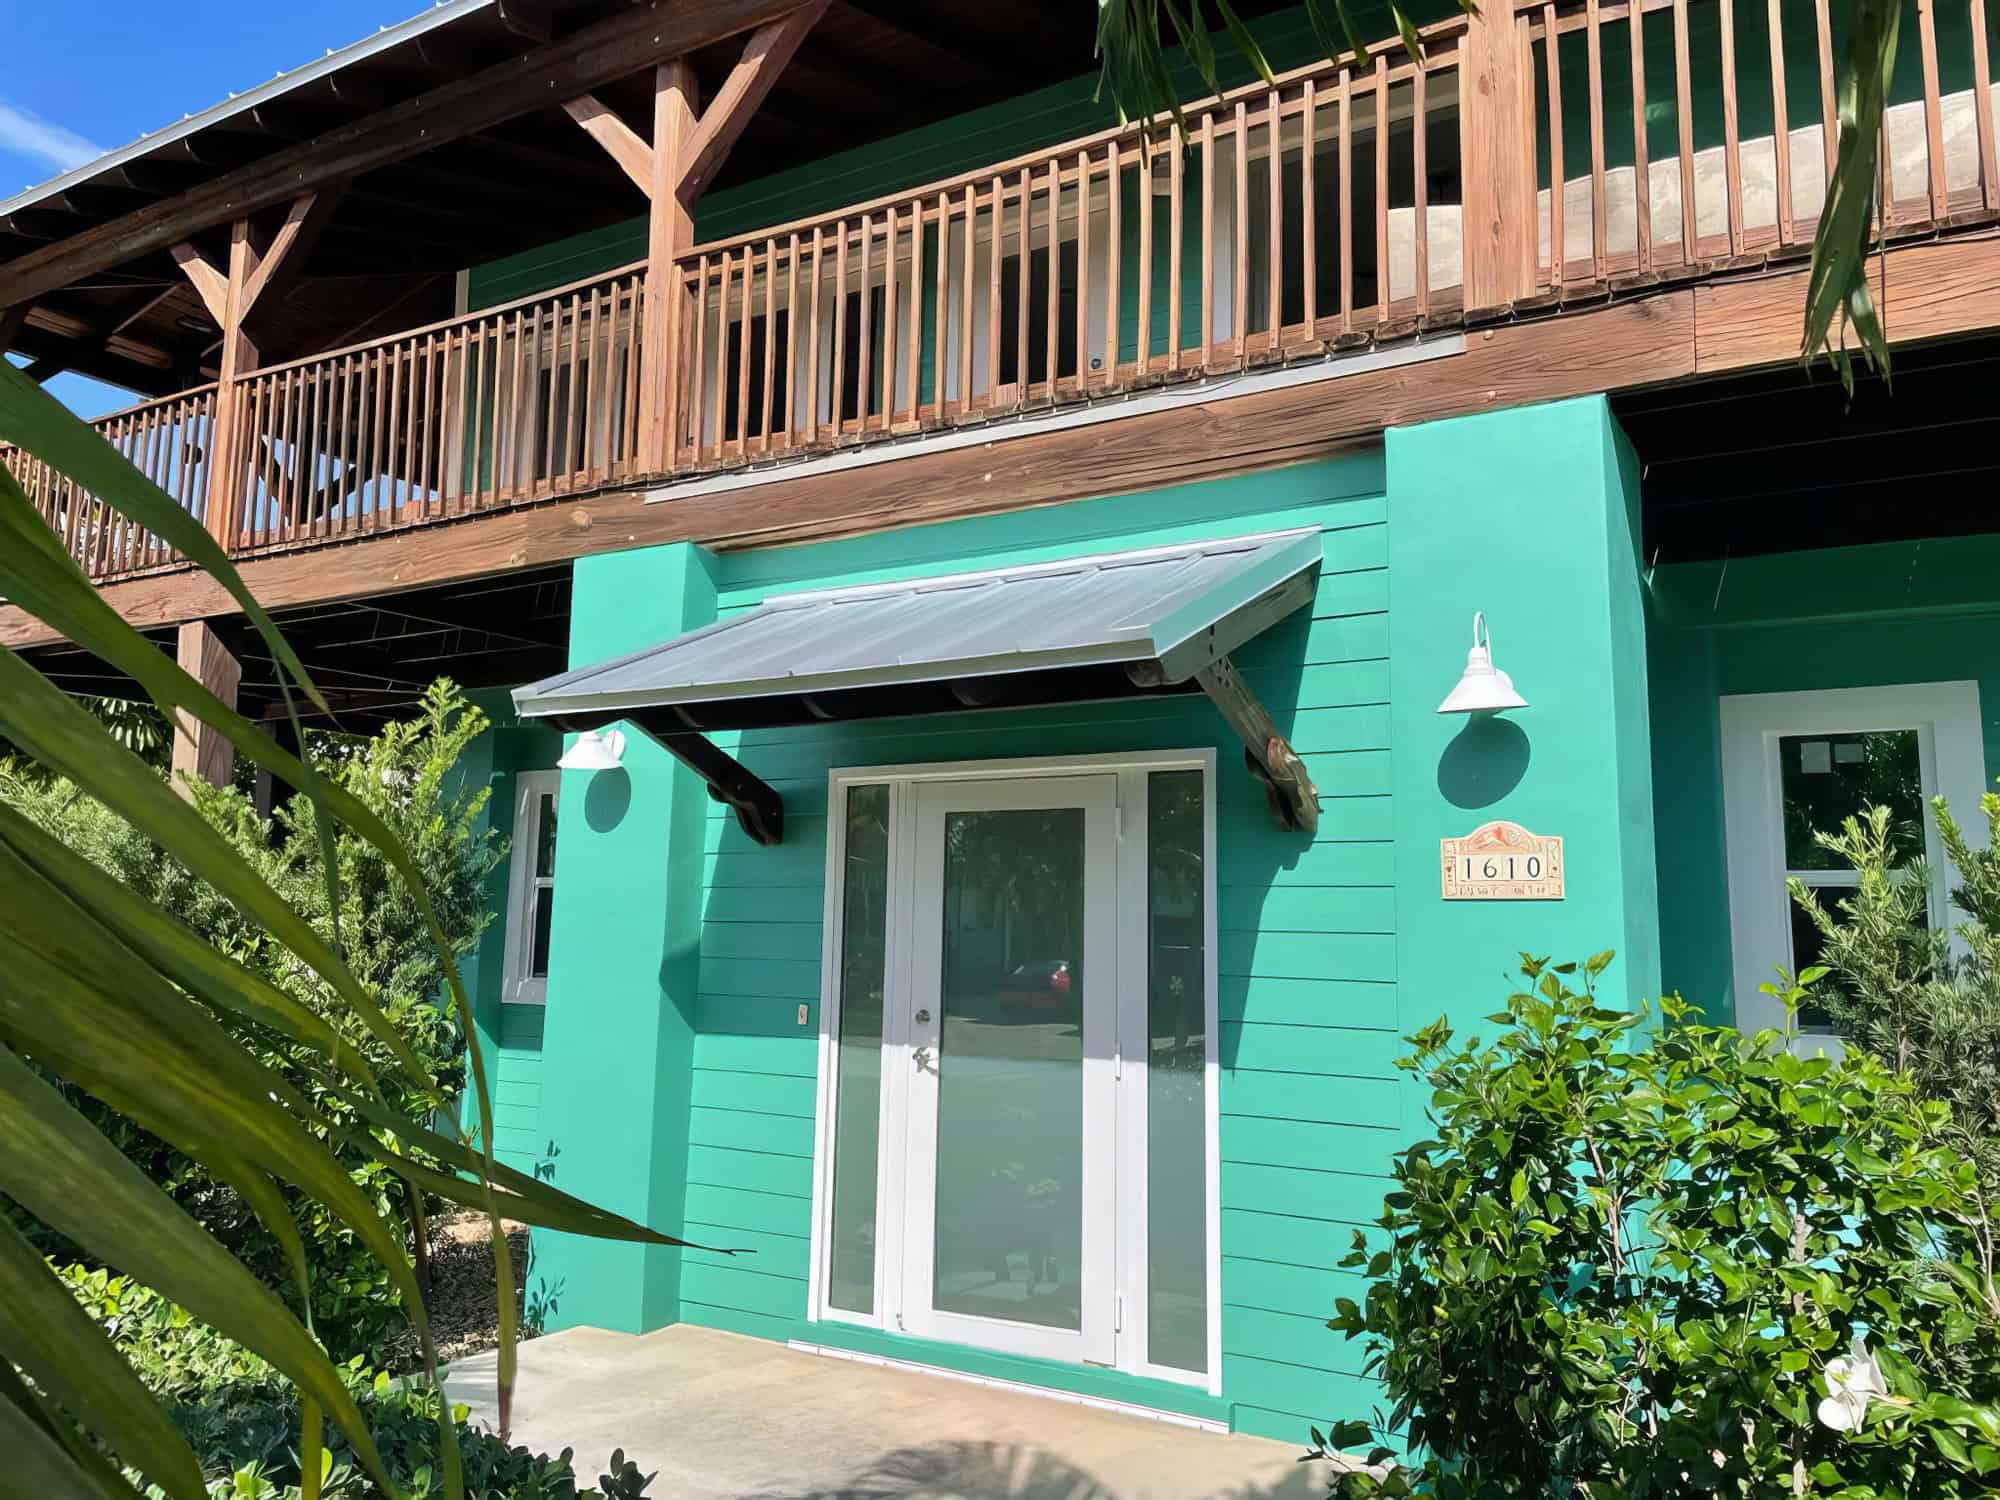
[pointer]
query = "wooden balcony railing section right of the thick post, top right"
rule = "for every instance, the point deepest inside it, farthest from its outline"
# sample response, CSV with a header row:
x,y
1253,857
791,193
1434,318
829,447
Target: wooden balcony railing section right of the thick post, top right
x,y
1753,105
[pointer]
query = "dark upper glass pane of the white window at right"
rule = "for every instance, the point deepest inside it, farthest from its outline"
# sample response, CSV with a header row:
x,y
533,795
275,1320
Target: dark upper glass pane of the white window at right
x,y
1833,777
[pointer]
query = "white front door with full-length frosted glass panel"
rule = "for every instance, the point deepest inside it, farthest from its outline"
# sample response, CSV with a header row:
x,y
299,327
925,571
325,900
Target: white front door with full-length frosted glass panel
x,y
1011,1181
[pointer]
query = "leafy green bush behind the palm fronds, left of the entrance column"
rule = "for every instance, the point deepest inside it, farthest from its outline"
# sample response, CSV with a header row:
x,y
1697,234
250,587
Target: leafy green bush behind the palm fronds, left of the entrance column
x,y
407,777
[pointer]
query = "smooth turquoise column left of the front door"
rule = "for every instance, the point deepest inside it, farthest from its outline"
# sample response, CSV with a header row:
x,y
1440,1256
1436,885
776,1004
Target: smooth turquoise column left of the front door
x,y
623,965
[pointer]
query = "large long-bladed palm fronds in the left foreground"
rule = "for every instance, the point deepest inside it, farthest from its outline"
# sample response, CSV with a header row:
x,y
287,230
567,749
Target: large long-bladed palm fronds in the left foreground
x,y
107,997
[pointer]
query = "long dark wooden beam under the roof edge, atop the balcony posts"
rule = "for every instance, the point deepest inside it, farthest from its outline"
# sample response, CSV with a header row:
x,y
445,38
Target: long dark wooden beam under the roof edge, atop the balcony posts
x,y
577,65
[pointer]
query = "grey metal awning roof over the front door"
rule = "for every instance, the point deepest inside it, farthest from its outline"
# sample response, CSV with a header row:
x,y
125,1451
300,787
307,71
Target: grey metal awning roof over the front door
x,y
1101,611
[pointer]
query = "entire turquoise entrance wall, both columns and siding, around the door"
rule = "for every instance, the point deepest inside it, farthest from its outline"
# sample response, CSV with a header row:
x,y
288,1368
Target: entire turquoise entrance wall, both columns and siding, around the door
x,y
681,1085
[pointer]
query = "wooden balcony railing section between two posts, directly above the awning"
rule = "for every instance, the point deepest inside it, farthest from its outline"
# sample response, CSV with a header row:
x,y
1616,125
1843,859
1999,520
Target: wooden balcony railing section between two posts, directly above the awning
x,y
1299,215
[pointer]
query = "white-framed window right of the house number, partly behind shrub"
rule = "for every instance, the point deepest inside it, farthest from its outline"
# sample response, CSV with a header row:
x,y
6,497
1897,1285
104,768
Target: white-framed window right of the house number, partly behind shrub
x,y
1801,763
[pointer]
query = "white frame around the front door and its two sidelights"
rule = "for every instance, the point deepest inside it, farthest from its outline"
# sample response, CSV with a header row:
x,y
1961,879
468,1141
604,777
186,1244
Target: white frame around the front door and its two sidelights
x,y
1133,771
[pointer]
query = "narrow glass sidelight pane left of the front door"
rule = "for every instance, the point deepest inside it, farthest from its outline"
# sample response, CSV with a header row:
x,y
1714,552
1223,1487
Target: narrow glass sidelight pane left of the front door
x,y
859,1103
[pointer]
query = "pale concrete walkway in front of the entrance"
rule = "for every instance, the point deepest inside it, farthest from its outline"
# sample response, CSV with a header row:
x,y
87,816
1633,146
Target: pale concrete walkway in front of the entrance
x,y
743,1419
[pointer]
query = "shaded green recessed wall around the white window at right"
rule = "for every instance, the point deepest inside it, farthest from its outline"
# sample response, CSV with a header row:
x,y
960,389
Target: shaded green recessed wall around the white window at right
x,y
1857,617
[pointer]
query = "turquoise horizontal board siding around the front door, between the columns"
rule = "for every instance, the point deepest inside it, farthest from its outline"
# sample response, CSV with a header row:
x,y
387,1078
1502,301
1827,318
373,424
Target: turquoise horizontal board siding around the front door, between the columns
x,y
1311,1101
